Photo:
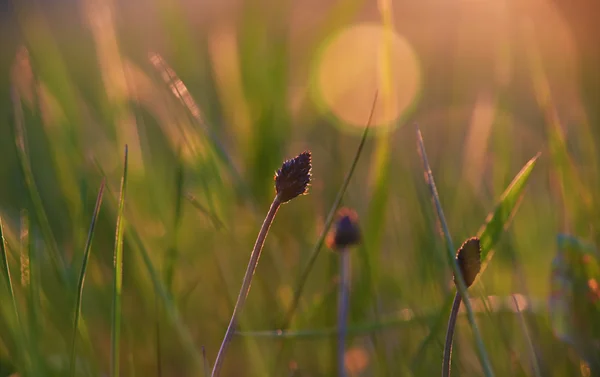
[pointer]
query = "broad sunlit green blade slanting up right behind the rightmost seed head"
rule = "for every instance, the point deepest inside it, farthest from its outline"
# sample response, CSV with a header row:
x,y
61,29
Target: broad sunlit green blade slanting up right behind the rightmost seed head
x,y
497,221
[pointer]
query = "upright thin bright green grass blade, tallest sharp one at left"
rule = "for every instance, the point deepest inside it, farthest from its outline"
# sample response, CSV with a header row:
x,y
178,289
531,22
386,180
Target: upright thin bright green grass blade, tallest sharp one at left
x,y
118,277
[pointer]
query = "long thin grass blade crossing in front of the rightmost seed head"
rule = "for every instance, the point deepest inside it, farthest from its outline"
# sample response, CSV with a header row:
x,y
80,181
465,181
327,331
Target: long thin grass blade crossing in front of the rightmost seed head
x,y
462,288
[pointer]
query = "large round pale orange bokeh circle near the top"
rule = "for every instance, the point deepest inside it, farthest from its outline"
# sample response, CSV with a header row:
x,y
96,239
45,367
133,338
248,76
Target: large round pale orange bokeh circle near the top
x,y
359,61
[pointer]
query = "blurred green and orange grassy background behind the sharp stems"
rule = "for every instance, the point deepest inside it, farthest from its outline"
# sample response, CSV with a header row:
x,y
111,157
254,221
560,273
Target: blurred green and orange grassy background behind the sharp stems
x,y
211,97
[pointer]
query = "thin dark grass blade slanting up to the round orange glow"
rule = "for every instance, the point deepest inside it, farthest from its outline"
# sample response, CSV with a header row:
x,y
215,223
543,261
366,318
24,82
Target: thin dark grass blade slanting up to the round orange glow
x,y
315,251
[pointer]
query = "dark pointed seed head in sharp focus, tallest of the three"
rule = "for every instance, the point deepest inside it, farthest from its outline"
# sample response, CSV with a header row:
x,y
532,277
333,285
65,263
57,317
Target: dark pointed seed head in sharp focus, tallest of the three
x,y
293,178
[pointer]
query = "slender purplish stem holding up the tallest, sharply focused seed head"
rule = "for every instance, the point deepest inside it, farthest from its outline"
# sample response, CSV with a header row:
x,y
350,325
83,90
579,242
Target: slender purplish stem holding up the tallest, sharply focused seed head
x,y
254,257
